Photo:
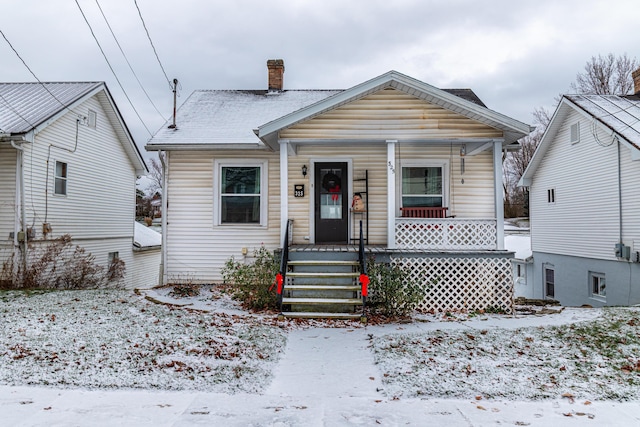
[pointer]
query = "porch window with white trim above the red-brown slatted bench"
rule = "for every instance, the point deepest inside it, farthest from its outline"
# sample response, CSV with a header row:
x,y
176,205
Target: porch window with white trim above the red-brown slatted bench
x,y
424,185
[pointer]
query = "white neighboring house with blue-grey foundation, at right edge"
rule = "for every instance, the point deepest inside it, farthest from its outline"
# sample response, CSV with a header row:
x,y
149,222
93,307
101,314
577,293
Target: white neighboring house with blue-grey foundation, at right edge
x,y
585,202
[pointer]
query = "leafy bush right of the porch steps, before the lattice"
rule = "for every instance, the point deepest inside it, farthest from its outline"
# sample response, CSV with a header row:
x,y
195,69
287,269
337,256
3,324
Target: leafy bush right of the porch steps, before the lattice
x,y
392,293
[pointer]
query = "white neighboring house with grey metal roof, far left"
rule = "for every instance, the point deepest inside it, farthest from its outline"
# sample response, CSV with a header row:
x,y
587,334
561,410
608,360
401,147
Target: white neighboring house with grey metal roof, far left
x,y
68,165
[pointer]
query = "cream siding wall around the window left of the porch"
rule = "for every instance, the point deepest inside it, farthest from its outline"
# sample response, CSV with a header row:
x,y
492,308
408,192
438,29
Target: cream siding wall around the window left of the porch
x,y
196,249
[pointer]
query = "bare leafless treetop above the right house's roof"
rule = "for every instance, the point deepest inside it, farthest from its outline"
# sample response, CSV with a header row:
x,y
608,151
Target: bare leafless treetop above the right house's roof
x,y
606,75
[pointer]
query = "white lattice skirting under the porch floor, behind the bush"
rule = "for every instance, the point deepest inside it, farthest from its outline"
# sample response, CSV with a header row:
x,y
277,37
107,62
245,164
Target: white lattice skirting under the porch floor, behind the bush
x,y
460,283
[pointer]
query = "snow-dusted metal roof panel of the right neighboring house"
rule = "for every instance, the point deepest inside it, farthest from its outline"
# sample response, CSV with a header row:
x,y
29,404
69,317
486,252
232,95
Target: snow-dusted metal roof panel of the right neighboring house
x,y
619,113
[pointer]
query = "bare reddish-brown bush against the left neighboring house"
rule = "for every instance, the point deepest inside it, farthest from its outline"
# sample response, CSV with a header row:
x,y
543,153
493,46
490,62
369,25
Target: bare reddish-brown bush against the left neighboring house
x,y
58,265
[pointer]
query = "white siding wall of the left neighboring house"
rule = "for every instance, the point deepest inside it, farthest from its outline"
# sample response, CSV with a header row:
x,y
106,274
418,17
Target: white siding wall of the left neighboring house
x,y
98,210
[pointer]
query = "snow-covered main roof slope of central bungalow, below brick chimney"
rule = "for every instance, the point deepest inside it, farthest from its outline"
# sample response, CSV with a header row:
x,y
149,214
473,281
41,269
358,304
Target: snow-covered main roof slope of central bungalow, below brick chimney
x,y
230,116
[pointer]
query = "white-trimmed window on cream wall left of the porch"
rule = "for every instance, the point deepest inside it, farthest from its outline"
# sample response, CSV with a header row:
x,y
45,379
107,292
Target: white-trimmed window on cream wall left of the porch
x,y
240,189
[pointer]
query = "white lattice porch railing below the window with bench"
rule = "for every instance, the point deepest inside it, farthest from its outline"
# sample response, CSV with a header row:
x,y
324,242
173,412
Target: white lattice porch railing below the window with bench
x,y
446,234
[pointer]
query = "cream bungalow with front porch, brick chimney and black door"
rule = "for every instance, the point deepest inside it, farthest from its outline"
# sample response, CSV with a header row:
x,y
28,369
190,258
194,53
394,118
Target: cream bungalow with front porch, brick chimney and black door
x,y
244,166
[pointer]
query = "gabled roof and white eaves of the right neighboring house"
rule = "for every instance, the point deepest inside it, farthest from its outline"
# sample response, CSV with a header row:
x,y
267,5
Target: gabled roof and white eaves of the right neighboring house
x,y
618,116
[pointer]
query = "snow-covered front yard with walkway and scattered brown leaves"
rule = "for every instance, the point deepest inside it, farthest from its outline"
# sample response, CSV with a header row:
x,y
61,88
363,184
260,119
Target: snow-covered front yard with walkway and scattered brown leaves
x,y
116,358
